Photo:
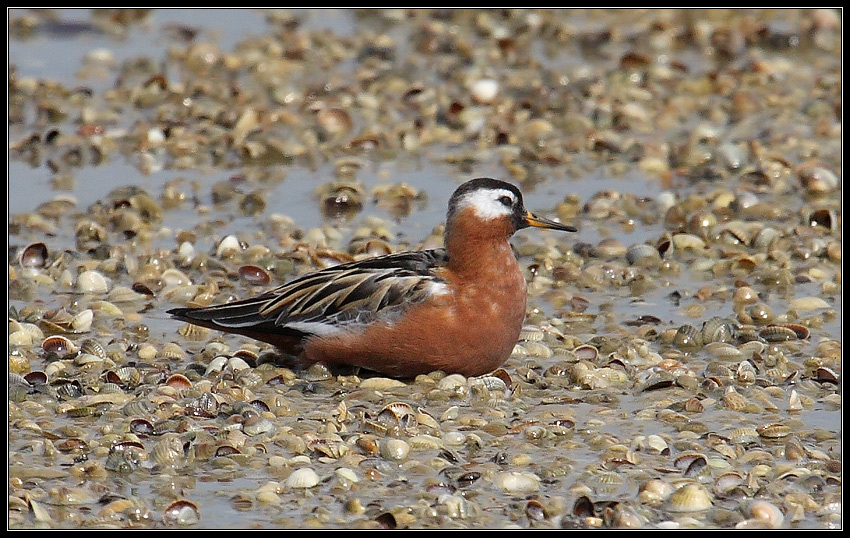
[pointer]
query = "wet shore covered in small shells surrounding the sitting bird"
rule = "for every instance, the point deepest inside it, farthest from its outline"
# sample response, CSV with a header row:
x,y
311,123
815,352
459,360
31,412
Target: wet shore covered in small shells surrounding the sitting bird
x,y
680,364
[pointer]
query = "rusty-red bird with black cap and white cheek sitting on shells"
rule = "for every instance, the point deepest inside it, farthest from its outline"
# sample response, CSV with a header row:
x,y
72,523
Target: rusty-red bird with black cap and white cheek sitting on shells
x,y
458,309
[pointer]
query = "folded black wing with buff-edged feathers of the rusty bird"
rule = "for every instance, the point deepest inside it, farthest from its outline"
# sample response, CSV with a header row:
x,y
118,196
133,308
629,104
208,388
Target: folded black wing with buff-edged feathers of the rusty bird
x,y
344,295
